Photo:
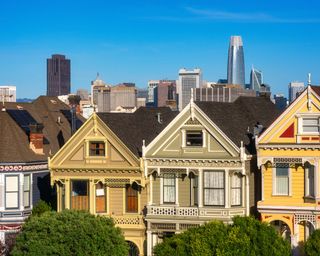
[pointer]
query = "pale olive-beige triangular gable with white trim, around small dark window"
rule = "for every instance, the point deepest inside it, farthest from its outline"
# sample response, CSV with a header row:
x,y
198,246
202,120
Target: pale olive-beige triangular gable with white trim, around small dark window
x,y
170,143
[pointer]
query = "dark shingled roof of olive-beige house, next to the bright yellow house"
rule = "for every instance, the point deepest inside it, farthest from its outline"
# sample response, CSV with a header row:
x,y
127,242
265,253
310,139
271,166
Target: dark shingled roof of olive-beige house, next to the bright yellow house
x,y
237,118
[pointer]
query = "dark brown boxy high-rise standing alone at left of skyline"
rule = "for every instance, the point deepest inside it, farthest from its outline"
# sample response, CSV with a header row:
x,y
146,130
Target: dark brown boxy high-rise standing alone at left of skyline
x,y
58,75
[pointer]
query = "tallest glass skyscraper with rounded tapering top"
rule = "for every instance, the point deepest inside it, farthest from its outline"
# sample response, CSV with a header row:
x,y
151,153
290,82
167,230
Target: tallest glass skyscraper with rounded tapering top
x,y
236,73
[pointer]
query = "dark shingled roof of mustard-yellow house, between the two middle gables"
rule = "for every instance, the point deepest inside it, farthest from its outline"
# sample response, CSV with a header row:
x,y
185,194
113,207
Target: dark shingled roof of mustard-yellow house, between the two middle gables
x,y
133,128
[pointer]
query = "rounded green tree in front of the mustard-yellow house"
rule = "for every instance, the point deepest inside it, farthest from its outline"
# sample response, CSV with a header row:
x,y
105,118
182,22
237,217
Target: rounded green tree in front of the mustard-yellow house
x,y
70,233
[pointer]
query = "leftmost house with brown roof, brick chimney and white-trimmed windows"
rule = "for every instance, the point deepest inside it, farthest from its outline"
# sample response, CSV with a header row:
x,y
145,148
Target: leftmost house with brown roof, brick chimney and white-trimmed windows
x,y
29,133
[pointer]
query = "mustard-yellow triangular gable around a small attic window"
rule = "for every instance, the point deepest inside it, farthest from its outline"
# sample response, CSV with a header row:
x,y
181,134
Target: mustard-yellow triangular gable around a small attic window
x,y
75,153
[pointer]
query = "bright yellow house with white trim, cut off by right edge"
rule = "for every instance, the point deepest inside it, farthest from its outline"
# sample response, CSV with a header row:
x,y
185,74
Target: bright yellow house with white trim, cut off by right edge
x,y
288,155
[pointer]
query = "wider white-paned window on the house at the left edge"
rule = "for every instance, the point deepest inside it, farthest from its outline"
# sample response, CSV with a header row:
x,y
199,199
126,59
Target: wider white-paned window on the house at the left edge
x,y
12,191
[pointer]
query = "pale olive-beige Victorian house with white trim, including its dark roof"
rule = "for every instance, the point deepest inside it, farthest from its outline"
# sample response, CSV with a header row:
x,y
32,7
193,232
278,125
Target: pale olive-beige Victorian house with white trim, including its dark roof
x,y
199,167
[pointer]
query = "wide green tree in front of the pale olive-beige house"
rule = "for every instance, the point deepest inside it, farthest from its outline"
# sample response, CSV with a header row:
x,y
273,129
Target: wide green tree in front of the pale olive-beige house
x,y
246,236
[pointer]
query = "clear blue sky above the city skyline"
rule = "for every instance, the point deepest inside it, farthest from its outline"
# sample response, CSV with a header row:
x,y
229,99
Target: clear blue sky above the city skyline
x,y
138,41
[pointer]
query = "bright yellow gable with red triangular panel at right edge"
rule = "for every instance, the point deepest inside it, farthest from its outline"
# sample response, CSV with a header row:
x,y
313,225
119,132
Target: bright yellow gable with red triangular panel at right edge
x,y
287,127
